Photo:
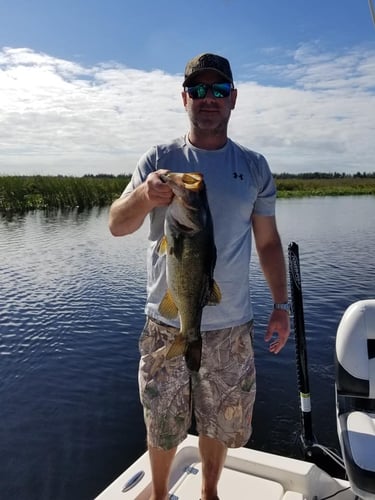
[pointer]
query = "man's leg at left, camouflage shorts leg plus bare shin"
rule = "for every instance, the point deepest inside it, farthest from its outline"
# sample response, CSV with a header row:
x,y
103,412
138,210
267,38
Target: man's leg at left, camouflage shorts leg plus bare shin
x,y
164,387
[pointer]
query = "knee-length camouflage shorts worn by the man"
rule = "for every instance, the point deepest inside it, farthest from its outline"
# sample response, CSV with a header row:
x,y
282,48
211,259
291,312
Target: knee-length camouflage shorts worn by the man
x,y
221,394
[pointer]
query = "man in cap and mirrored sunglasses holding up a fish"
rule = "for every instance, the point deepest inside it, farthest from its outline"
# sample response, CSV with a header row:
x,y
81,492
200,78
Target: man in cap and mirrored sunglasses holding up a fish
x,y
241,195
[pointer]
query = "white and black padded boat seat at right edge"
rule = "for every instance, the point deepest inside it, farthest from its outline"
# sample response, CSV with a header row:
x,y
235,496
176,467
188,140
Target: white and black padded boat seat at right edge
x,y
355,395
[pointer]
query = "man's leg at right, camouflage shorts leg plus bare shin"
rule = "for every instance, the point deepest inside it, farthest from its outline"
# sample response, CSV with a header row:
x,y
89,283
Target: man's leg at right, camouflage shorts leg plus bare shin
x,y
224,394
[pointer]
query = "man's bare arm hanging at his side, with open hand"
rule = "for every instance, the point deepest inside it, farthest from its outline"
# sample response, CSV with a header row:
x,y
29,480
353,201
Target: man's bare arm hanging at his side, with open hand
x,y
272,261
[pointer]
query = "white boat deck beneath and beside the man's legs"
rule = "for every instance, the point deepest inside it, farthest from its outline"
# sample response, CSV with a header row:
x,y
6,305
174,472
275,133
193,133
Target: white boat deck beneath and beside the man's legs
x,y
247,474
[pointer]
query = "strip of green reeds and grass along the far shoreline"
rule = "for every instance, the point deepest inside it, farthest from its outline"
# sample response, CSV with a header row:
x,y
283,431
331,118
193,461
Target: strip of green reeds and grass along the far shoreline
x,y
37,192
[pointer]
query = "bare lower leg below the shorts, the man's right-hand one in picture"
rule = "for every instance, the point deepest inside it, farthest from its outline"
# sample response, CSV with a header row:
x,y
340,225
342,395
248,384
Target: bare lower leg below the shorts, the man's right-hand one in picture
x,y
213,453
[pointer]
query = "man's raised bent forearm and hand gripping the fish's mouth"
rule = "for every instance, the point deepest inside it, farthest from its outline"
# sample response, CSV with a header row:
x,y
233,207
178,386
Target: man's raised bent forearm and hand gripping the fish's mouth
x,y
127,214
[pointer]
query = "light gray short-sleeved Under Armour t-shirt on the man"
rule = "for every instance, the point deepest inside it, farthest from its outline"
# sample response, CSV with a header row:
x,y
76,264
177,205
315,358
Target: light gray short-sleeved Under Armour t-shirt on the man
x,y
239,183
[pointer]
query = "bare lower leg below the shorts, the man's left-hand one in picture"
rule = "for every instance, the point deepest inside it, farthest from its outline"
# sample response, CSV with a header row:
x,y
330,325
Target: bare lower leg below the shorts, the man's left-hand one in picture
x,y
161,461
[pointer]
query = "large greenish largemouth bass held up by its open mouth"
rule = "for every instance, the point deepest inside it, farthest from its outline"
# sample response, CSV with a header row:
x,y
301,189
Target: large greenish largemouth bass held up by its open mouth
x,y
191,257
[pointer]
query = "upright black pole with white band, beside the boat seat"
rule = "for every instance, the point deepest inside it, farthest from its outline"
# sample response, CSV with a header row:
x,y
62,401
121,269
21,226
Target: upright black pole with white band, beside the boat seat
x,y
322,456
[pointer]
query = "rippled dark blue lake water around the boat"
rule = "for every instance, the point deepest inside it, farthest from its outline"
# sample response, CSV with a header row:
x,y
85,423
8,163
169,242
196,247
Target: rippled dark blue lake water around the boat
x,y
71,310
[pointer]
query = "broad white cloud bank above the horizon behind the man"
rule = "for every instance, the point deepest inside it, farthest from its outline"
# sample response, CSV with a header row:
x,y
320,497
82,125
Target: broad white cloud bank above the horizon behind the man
x,y
312,112
